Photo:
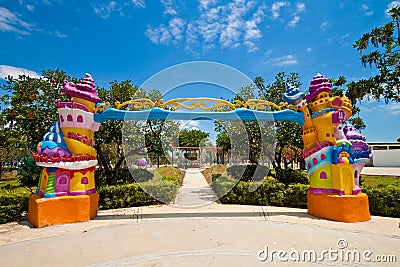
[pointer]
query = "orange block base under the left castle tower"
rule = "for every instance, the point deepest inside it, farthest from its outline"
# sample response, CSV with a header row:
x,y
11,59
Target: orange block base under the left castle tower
x,y
59,210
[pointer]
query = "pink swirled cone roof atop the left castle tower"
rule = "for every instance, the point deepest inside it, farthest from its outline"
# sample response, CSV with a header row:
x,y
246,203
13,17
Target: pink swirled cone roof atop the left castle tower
x,y
85,89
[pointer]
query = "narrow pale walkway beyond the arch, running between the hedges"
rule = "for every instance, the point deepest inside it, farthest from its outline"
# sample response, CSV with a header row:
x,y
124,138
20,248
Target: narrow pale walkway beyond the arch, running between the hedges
x,y
195,190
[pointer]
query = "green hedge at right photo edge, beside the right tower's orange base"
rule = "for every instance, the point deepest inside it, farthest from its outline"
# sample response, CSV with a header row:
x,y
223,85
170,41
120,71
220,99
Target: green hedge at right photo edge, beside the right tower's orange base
x,y
384,200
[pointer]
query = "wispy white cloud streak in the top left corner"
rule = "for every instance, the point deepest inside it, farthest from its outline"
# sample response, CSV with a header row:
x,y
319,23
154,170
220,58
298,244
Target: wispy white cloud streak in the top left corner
x,y
11,22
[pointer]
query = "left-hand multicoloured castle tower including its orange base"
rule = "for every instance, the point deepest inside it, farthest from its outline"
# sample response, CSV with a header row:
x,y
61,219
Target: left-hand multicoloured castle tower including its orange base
x,y
66,191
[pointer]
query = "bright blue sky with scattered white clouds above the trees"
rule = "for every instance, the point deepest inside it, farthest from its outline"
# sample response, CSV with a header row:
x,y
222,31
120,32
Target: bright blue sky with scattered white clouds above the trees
x,y
134,39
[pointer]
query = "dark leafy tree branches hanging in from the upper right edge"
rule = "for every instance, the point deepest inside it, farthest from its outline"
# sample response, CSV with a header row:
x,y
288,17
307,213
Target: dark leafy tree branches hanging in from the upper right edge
x,y
379,48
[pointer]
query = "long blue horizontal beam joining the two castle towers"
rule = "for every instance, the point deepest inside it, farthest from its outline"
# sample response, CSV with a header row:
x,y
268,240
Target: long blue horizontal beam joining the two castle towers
x,y
237,114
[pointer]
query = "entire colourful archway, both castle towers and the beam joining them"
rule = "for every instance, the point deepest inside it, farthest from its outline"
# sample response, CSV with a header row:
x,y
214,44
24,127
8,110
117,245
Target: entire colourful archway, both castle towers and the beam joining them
x,y
334,154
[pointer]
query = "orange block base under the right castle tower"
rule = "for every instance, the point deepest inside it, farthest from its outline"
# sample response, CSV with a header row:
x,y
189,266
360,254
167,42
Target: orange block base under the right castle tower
x,y
345,208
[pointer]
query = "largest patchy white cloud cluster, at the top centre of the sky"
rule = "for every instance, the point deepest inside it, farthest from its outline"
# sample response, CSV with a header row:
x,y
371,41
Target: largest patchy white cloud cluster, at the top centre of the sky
x,y
230,25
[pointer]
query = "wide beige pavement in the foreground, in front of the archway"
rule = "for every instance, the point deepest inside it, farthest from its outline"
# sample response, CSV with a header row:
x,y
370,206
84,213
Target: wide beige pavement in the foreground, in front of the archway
x,y
213,235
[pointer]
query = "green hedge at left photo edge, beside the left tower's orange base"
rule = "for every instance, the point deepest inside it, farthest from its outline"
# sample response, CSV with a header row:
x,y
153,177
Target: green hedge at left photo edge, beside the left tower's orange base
x,y
12,206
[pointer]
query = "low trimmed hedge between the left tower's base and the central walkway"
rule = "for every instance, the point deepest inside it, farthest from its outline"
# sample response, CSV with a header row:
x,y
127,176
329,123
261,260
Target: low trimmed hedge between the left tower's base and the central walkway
x,y
133,195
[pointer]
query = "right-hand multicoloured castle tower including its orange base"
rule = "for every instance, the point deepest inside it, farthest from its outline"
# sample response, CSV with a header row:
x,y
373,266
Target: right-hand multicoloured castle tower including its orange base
x,y
333,164
